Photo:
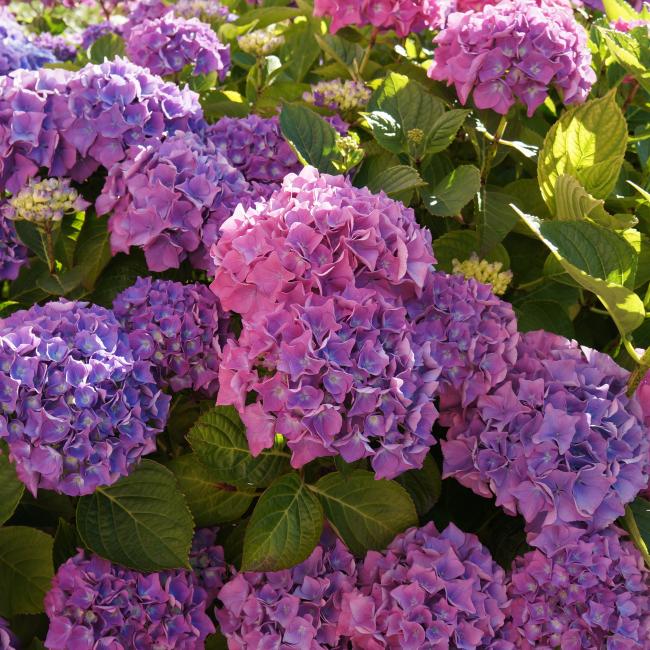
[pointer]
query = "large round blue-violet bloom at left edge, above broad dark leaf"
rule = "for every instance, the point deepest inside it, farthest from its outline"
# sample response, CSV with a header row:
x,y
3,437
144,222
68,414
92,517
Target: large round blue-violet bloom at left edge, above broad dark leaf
x,y
78,411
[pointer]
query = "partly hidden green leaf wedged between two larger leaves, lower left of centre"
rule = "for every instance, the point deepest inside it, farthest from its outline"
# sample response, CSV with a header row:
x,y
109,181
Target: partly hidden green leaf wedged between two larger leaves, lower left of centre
x,y
210,501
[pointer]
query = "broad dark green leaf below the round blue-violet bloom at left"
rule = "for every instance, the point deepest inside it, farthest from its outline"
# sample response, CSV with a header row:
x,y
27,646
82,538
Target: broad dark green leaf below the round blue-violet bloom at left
x,y
142,521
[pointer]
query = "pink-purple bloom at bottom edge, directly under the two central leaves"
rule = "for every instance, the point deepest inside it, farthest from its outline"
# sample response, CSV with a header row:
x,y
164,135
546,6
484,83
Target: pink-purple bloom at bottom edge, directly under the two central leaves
x,y
295,608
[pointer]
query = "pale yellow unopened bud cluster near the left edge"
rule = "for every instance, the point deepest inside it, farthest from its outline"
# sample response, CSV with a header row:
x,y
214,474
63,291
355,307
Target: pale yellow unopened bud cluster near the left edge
x,y
44,201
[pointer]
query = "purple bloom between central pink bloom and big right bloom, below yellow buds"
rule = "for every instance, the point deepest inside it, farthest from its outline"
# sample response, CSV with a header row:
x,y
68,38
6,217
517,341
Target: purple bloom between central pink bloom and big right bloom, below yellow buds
x,y
469,334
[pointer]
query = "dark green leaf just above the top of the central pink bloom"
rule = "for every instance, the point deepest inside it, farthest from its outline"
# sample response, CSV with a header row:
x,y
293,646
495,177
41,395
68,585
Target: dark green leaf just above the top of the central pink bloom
x,y
310,135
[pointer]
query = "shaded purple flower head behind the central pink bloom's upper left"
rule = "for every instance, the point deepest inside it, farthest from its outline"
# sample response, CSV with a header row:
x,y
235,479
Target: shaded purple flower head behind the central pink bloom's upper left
x,y
256,147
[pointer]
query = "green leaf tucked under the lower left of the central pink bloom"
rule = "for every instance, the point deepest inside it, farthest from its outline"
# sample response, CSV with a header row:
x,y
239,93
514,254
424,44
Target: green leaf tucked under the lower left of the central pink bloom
x,y
219,440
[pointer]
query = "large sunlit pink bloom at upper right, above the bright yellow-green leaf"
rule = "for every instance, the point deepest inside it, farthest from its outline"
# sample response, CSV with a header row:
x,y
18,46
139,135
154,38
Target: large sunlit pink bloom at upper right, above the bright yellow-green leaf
x,y
515,50
